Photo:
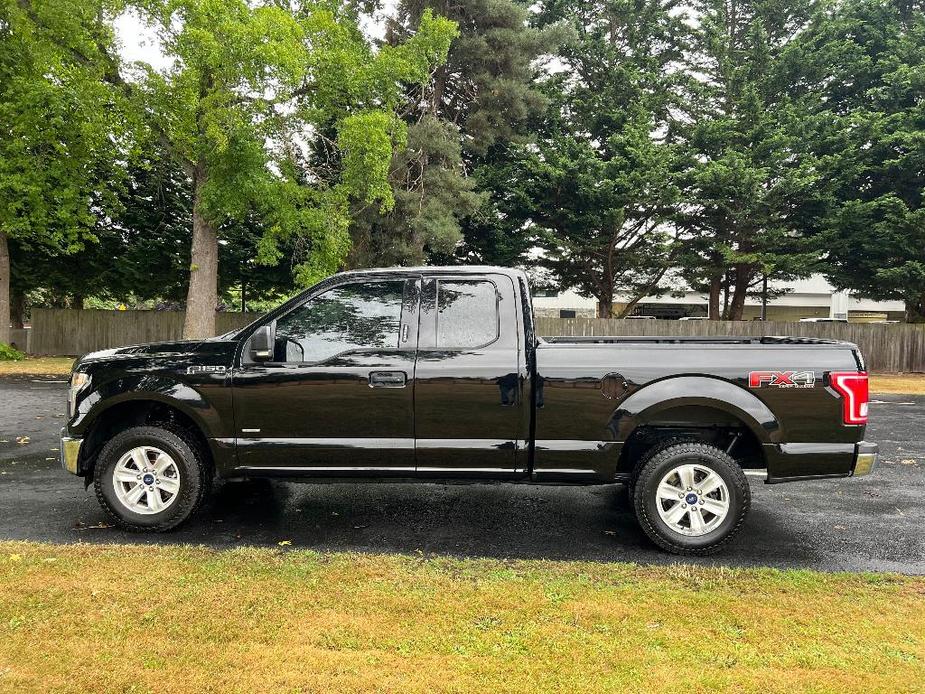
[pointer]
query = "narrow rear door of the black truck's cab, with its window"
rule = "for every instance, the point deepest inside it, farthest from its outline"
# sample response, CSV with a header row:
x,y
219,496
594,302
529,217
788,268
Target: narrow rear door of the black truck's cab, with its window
x,y
469,400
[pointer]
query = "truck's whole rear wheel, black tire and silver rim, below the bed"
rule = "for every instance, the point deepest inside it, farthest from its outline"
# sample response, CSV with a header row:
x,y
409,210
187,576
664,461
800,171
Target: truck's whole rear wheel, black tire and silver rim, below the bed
x,y
690,498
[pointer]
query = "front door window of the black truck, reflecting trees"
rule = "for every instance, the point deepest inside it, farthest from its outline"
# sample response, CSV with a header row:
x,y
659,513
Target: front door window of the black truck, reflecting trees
x,y
353,316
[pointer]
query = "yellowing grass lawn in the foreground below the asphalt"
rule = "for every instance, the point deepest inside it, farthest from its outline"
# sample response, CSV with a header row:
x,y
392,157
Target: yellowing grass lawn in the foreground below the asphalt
x,y
188,619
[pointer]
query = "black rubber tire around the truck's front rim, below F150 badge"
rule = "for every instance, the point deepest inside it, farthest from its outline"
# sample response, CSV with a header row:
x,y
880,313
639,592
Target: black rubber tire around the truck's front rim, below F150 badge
x,y
194,475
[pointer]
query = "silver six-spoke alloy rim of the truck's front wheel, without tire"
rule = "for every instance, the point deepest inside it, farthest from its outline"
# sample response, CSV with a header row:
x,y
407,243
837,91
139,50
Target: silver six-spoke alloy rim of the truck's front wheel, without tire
x,y
146,480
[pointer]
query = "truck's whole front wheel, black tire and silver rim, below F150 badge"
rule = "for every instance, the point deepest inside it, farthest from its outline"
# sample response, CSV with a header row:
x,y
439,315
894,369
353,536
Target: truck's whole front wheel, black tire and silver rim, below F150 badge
x,y
150,478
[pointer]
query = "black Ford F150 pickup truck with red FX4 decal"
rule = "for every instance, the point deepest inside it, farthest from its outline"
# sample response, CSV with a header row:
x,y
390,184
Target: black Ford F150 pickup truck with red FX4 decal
x,y
436,373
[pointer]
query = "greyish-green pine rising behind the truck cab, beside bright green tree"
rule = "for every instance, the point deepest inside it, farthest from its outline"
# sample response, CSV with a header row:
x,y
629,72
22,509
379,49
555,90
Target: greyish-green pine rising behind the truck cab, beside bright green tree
x,y
476,103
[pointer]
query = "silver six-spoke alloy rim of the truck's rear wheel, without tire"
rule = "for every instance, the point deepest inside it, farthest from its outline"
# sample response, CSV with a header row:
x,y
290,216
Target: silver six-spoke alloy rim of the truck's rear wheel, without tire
x,y
692,500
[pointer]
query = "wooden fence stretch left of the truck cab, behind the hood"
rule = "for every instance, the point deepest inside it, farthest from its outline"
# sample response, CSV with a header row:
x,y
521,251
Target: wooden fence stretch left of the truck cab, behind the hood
x,y
75,332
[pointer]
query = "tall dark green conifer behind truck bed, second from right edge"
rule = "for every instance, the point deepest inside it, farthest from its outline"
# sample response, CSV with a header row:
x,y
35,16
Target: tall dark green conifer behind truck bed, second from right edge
x,y
751,187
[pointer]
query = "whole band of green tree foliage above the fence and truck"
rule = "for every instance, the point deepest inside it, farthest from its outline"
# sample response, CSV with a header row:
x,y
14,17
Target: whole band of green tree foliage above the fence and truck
x,y
765,138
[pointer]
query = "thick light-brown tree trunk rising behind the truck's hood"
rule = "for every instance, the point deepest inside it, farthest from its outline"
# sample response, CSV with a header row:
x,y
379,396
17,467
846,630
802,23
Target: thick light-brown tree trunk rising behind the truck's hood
x,y
202,297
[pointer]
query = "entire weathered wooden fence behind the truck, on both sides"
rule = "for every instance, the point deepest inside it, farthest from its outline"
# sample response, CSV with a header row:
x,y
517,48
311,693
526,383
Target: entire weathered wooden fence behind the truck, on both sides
x,y
887,348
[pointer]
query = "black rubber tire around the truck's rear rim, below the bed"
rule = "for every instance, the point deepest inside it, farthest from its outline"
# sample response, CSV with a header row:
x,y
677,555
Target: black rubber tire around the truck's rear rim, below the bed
x,y
650,473
